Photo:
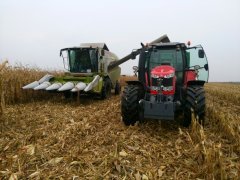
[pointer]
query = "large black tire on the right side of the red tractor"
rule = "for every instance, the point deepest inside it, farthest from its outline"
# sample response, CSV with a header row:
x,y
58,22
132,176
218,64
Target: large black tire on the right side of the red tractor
x,y
195,101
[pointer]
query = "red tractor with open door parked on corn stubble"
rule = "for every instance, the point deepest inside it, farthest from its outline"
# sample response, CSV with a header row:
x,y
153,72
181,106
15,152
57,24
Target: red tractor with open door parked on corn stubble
x,y
170,82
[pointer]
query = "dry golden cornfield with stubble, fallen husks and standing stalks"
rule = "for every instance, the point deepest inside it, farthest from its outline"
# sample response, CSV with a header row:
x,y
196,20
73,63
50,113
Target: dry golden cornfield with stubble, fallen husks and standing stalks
x,y
44,137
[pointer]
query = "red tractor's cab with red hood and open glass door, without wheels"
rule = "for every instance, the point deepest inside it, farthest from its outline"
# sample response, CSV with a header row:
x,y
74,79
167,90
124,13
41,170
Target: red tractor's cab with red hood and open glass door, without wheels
x,y
172,65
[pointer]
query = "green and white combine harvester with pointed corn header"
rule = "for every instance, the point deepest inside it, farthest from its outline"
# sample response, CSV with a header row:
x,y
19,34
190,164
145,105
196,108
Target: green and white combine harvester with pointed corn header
x,y
87,72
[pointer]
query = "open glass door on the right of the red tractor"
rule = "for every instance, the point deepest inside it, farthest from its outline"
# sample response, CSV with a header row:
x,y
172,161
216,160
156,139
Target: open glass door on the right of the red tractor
x,y
198,62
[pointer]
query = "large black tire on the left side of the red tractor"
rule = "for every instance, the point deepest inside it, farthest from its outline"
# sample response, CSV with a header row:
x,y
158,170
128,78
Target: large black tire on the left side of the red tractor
x,y
130,104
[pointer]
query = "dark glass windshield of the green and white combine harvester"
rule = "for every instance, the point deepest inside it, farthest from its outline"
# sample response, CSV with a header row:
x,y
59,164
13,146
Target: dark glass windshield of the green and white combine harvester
x,y
83,60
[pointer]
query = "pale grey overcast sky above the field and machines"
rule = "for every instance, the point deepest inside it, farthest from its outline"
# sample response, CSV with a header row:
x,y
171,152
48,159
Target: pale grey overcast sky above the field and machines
x,y
33,32
